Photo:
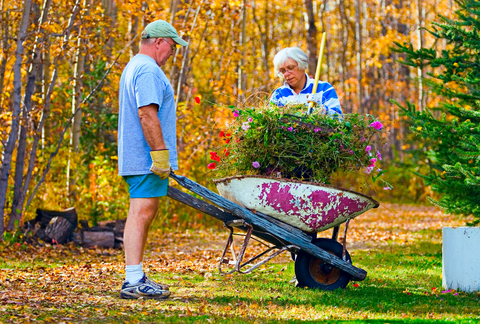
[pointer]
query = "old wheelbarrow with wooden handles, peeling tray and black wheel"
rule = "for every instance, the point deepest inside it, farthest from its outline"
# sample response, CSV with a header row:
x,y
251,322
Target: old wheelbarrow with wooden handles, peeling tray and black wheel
x,y
287,214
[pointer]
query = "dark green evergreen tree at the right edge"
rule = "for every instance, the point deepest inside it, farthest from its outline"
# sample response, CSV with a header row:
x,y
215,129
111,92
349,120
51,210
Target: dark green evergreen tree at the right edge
x,y
451,130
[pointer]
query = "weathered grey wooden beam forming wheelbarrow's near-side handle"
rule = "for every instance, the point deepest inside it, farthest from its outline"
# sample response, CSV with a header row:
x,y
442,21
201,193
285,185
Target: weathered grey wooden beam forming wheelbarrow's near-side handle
x,y
270,227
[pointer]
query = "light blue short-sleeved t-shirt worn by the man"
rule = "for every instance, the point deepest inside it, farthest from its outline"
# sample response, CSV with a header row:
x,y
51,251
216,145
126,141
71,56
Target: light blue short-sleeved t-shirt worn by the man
x,y
143,83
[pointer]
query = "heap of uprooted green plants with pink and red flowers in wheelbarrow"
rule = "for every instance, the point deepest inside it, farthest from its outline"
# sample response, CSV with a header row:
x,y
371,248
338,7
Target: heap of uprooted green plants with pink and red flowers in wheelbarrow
x,y
286,142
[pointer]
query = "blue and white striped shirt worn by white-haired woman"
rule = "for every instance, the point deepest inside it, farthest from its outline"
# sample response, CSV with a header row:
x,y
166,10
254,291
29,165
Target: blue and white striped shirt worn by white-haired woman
x,y
326,96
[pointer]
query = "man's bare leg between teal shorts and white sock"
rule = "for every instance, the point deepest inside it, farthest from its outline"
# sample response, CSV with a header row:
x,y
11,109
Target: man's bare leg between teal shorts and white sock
x,y
141,213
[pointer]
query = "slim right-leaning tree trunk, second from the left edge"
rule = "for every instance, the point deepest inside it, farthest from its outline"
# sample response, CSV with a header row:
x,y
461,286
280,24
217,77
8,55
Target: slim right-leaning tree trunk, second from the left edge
x,y
19,190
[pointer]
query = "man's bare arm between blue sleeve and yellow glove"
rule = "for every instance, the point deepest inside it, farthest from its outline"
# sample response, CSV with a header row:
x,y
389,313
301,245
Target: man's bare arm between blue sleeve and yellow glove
x,y
152,130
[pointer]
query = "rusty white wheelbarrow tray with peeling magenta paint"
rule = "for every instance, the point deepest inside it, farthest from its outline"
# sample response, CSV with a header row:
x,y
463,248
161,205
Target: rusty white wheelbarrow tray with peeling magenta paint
x,y
308,206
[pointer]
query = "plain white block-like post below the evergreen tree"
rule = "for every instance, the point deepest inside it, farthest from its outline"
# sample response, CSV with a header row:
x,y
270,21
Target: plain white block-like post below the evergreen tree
x,y
461,258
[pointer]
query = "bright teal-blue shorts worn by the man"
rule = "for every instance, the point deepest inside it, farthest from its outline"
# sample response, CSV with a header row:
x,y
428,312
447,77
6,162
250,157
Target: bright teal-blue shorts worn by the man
x,y
146,186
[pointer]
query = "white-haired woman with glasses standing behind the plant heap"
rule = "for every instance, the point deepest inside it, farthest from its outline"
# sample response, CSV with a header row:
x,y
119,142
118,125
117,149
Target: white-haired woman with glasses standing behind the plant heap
x,y
290,64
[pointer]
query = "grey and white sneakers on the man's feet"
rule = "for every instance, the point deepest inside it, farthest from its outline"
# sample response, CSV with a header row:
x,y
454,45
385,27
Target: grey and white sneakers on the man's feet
x,y
145,288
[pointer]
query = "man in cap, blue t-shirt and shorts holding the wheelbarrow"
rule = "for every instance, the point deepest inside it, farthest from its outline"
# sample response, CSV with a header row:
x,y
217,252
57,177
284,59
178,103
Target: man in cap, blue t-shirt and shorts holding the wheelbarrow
x,y
146,148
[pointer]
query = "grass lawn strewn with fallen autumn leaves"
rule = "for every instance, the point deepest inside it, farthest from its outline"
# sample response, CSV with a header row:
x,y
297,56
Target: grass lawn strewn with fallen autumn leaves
x,y
399,246
